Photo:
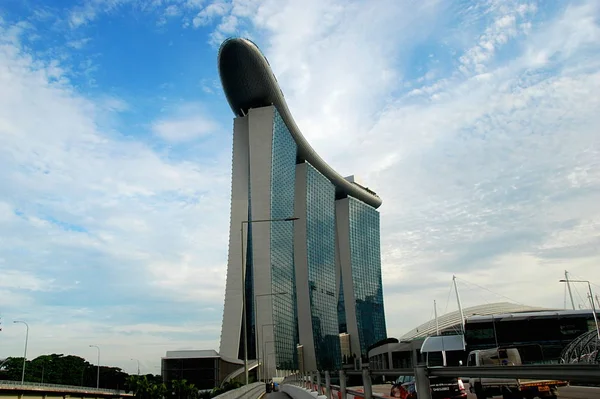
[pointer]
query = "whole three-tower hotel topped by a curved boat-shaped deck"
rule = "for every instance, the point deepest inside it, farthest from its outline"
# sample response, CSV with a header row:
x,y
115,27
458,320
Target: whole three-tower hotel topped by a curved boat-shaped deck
x,y
304,264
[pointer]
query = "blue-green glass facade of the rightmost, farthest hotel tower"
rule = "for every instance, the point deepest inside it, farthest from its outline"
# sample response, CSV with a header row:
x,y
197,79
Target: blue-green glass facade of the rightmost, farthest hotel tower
x,y
365,258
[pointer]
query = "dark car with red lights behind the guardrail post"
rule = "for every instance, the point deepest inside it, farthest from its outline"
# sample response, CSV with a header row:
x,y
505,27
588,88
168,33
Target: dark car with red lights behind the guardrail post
x,y
441,388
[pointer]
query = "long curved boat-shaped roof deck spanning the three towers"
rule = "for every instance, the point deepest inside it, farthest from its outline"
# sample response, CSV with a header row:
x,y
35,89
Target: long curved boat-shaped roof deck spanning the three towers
x,y
249,82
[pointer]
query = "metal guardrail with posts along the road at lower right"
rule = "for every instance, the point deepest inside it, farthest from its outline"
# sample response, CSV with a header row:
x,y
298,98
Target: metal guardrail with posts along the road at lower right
x,y
565,372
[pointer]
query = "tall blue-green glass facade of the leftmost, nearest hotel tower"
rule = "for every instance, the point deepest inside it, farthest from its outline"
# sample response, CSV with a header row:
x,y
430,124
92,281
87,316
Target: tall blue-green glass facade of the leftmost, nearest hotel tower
x,y
283,179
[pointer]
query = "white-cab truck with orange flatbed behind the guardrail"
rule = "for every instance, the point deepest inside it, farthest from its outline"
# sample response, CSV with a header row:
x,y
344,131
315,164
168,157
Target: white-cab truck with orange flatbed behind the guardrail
x,y
509,388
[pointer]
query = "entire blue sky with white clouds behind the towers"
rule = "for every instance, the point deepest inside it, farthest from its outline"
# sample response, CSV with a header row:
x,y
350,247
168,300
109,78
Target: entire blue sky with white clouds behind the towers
x,y
476,122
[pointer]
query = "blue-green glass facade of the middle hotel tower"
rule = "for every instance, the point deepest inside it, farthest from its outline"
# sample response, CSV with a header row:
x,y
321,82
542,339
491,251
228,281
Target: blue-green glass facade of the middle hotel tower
x,y
320,226
